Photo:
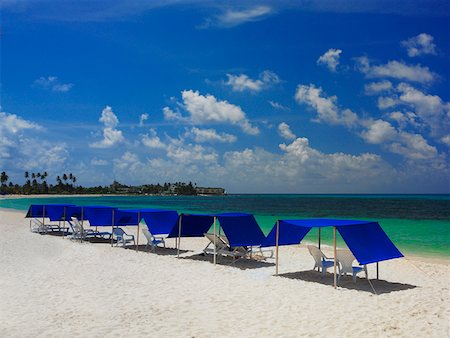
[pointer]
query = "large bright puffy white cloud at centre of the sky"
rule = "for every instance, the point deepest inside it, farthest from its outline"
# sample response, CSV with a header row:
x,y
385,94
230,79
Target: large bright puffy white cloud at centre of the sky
x,y
205,109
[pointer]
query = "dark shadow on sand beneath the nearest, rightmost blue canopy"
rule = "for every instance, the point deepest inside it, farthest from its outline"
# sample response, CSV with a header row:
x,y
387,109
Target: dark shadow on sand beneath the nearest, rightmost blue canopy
x,y
381,286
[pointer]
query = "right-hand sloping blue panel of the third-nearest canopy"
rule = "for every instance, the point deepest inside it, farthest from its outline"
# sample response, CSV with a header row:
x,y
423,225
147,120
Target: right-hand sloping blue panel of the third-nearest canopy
x,y
160,222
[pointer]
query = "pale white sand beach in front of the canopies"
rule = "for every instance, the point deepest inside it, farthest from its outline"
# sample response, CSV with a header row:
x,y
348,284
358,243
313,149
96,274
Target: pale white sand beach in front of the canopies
x,y
55,287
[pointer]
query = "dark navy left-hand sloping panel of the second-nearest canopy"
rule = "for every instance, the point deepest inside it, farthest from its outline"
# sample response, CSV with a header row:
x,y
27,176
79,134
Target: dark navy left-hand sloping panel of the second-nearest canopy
x,y
192,226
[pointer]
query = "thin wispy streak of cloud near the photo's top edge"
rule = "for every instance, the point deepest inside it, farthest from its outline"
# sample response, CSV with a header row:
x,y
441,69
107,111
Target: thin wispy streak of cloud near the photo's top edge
x,y
231,18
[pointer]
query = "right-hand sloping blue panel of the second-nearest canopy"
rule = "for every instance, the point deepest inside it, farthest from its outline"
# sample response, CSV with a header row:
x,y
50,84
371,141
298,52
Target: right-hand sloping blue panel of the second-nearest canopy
x,y
241,229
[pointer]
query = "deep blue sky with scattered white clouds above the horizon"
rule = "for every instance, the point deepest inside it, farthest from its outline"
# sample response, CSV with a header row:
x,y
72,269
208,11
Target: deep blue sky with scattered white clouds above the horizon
x,y
270,96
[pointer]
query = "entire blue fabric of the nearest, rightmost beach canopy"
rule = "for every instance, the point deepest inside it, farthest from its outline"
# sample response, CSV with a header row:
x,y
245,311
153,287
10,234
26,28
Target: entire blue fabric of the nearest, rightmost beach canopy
x,y
366,240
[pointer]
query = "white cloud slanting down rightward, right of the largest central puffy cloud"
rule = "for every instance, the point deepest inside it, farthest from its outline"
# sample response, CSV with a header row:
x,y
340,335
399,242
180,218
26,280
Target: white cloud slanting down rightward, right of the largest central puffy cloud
x,y
326,107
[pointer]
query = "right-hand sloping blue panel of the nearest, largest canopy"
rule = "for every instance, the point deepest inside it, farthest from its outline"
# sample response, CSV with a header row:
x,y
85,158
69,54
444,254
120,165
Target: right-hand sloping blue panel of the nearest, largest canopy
x,y
369,243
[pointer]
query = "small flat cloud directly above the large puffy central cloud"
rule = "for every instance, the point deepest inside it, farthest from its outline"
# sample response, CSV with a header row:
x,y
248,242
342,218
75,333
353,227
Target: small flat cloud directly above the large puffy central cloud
x,y
242,82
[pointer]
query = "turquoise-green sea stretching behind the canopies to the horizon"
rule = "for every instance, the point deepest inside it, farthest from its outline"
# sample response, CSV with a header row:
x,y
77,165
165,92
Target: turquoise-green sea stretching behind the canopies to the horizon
x,y
417,224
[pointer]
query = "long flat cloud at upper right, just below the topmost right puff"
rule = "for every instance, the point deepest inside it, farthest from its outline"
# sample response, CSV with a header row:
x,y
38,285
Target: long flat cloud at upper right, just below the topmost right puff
x,y
397,70
